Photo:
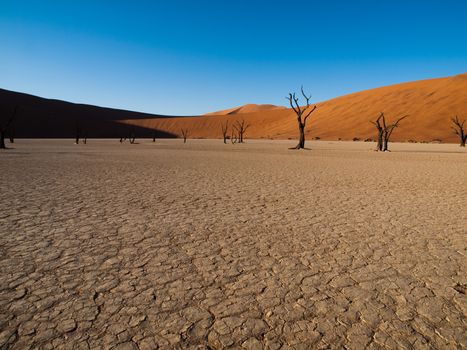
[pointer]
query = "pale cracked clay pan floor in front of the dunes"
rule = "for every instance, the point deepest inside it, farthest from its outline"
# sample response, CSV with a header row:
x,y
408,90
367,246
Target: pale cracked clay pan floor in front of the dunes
x,y
251,246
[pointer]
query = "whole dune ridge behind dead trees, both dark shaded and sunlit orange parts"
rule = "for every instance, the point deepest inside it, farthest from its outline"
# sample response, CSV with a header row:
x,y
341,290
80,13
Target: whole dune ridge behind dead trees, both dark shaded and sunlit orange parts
x,y
429,103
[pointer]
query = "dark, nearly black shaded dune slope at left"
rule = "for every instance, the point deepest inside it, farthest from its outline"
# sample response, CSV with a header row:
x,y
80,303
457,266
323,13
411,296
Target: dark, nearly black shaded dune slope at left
x,y
45,118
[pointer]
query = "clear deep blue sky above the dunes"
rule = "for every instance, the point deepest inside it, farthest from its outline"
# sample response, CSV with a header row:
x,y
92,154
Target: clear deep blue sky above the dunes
x,y
192,57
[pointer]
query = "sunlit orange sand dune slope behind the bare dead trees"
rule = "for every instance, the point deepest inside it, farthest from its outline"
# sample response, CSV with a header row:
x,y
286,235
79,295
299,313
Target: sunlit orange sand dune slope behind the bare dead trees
x,y
429,103
